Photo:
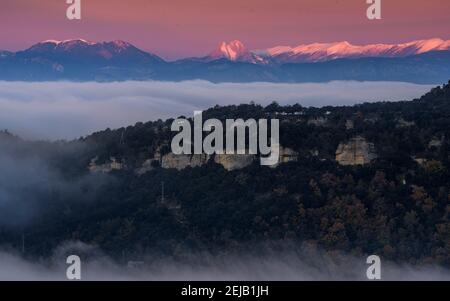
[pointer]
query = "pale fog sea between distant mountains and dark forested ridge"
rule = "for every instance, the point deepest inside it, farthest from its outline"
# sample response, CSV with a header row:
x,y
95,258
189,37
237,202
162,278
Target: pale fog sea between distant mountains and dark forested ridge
x,y
66,110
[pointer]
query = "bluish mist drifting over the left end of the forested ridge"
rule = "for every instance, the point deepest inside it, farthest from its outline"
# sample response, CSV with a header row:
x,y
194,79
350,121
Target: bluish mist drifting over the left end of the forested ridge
x,y
32,182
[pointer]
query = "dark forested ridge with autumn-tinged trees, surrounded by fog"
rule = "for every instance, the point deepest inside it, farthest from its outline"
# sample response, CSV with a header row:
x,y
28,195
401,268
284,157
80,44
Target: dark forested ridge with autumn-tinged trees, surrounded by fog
x,y
397,206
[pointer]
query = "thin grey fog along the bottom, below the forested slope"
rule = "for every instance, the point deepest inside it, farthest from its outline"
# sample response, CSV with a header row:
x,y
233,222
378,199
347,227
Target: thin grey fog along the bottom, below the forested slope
x,y
284,264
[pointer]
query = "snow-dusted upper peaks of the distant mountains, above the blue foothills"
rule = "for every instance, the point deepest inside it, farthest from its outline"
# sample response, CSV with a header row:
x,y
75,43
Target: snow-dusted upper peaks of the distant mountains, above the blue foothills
x,y
237,52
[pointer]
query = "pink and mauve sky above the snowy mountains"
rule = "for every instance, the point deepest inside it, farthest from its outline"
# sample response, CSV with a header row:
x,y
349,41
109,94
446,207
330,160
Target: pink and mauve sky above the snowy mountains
x,y
183,28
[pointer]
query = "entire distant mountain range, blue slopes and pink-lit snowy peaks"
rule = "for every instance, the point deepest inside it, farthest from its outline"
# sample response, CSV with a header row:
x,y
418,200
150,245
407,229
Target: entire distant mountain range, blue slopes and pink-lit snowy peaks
x,y
425,61
